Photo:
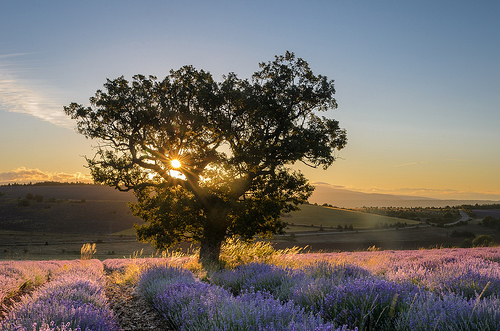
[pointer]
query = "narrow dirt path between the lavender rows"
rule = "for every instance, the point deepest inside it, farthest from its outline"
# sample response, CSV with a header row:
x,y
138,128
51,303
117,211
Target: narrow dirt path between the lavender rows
x,y
131,311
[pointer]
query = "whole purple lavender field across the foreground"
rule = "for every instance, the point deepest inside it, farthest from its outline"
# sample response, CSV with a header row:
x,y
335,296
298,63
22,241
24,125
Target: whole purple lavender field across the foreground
x,y
446,289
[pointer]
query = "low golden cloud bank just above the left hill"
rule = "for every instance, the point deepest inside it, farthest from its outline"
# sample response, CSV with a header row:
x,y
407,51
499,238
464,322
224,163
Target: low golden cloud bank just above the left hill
x,y
25,175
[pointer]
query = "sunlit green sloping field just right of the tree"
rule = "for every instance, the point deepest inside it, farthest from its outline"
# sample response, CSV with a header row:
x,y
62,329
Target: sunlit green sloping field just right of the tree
x,y
328,217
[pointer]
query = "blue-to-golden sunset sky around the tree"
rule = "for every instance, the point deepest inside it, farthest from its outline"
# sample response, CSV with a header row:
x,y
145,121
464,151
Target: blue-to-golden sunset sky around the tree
x,y
417,82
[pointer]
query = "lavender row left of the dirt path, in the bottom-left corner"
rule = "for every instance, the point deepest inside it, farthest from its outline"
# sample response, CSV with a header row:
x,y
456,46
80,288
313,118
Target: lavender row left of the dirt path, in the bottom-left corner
x,y
75,300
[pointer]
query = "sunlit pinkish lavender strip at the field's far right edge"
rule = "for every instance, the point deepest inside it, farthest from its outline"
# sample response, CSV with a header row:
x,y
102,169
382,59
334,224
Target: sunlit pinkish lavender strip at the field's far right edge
x,y
461,271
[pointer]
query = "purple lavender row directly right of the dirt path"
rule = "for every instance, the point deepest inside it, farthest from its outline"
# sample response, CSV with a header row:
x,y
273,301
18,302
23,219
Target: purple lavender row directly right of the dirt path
x,y
187,304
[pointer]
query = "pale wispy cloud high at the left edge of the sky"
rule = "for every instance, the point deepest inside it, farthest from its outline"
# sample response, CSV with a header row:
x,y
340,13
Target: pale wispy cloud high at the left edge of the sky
x,y
21,96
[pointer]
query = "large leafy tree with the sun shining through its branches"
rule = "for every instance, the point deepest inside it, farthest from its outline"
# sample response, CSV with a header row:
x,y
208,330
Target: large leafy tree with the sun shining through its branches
x,y
232,143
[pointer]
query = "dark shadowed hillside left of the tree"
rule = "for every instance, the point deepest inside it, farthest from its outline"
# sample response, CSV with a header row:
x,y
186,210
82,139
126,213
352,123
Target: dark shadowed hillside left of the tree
x,y
65,209
